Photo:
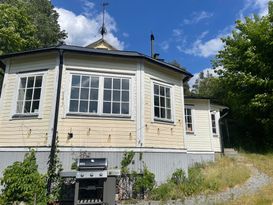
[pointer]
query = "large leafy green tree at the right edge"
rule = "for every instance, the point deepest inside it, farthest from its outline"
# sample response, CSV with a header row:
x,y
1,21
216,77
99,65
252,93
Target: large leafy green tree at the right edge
x,y
247,77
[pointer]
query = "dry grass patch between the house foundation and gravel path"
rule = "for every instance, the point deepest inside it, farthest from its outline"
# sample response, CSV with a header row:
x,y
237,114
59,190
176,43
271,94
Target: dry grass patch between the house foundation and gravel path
x,y
203,178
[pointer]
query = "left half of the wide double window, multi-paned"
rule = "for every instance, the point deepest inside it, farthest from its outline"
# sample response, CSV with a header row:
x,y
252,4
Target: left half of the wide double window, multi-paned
x,y
84,94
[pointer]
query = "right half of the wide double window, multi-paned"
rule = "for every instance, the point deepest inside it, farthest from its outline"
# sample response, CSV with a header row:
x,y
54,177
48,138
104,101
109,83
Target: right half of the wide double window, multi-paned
x,y
116,96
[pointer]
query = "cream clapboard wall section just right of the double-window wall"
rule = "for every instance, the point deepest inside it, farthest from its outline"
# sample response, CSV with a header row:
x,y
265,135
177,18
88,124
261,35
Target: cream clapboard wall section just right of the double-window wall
x,y
157,134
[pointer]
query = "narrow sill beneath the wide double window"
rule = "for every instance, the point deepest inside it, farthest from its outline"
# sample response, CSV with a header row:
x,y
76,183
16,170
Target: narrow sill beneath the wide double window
x,y
96,116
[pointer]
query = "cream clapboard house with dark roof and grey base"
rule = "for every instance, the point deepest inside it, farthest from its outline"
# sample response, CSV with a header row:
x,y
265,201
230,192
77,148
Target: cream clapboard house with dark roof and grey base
x,y
101,102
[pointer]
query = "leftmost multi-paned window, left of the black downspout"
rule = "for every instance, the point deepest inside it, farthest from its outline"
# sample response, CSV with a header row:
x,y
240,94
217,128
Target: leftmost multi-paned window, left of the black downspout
x,y
29,94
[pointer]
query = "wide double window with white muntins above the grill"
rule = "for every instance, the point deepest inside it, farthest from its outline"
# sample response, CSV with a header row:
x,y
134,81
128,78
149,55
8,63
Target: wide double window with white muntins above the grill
x,y
99,95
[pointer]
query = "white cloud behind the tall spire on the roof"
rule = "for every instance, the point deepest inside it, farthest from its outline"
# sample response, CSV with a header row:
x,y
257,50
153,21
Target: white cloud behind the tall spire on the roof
x,y
83,30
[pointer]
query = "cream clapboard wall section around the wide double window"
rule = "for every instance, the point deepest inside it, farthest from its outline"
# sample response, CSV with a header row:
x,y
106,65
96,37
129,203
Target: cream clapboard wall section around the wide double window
x,y
97,131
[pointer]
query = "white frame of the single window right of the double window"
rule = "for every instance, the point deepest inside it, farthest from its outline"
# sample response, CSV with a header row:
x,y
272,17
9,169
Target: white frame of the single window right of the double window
x,y
155,119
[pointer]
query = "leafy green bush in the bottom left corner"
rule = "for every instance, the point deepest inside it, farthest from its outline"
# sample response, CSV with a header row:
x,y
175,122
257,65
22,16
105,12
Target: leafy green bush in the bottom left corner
x,y
22,181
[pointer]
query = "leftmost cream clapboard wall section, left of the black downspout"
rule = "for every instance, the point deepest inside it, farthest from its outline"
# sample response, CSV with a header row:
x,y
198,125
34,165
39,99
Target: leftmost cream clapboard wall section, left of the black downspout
x,y
27,132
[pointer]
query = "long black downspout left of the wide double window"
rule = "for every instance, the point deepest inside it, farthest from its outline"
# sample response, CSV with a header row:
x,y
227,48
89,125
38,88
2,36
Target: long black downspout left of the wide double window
x,y
55,125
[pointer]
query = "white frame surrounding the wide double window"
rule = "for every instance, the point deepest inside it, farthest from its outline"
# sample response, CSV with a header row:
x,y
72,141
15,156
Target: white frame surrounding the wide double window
x,y
100,95
